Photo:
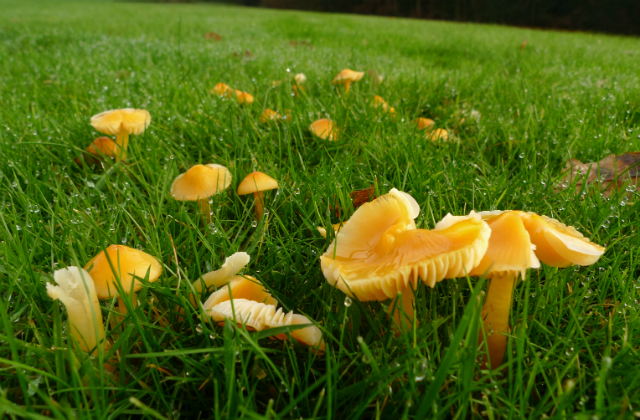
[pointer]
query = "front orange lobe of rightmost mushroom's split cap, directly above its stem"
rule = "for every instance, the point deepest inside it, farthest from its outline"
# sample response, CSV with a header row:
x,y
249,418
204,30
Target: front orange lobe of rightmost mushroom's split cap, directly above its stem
x,y
510,249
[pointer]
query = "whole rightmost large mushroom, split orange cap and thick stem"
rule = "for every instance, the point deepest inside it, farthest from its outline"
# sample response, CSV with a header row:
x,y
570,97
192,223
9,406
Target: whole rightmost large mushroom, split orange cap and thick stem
x,y
519,241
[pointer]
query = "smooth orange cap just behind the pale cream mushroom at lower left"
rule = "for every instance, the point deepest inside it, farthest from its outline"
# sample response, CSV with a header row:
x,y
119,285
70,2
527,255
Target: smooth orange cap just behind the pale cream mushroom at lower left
x,y
127,262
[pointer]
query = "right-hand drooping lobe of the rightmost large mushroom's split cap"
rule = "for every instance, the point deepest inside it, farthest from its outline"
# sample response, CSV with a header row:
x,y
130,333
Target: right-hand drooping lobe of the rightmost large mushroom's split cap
x,y
556,244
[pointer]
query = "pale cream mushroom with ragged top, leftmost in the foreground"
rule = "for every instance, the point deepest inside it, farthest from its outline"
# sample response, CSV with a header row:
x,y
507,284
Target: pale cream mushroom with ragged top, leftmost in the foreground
x,y
75,289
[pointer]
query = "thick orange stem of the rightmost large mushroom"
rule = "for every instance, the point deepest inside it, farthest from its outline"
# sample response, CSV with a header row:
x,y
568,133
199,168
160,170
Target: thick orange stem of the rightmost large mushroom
x,y
495,316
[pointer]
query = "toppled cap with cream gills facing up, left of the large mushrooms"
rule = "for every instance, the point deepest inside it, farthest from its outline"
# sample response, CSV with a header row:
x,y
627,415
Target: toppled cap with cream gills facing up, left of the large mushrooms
x,y
260,316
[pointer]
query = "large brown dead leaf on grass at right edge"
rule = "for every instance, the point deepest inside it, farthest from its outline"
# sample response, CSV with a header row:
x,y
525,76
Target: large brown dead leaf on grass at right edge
x,y
609,175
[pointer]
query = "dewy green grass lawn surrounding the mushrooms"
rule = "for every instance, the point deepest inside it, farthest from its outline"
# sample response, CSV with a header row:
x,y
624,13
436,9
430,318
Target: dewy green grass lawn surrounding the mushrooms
x,y
573,351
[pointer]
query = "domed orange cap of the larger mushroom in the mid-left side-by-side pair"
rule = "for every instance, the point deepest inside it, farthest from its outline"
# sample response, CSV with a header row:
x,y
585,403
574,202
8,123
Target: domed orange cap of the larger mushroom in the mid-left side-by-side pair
x,y
200,181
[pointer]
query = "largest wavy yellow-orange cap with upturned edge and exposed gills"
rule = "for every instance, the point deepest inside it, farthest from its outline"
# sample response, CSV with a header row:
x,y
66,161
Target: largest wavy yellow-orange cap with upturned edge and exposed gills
x,y
379,252
